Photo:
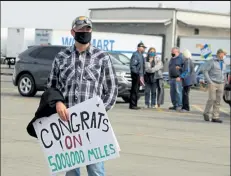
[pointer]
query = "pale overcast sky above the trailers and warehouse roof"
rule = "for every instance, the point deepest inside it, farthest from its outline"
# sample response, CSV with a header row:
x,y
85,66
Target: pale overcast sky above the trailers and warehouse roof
x,y
59,14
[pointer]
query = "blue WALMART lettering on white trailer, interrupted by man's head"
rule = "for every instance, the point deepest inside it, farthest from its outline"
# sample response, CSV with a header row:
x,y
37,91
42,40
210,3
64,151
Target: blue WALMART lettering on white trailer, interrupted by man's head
x,y
106,45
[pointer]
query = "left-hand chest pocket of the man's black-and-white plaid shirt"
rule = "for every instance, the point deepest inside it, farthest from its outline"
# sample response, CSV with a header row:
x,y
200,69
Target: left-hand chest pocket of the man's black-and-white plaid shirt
x,y
67,72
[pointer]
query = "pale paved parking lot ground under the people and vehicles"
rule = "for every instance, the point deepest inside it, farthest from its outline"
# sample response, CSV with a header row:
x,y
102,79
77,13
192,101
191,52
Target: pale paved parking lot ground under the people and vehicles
x,y
153,142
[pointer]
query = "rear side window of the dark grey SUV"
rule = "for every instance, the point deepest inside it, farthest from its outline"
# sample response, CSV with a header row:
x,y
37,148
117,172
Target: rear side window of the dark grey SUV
x,y
49,52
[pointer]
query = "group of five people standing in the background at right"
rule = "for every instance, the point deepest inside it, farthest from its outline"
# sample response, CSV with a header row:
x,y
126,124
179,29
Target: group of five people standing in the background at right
x,y
148,71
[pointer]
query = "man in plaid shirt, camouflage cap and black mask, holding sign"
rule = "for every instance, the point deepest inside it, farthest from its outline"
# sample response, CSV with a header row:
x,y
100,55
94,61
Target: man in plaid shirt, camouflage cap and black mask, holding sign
x,y
81,72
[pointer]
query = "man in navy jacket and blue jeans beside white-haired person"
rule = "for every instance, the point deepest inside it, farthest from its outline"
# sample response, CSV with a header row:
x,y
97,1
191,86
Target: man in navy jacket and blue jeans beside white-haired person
x,y
175,70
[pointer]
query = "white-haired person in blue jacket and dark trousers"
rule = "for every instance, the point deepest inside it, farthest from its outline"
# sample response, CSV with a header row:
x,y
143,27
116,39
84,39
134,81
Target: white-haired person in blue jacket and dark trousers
x,y
188,77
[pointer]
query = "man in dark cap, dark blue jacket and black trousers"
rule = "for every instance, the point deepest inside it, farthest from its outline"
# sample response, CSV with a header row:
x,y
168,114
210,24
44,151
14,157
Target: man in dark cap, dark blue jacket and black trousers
x,y
137,74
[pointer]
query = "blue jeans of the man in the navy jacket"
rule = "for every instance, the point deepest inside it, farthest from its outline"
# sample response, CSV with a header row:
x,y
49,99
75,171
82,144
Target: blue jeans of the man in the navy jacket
x,y
176,93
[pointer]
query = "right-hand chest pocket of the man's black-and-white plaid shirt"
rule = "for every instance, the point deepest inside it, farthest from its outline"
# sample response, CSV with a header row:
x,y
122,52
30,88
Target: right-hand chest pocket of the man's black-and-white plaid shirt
x,y
92,72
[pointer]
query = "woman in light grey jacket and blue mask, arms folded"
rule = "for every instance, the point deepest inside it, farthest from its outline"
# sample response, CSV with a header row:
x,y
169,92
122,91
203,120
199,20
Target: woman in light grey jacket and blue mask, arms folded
x,y
149,77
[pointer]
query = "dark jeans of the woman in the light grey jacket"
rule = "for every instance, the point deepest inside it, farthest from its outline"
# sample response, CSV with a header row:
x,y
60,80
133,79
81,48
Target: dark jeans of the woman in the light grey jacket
x,y
150,88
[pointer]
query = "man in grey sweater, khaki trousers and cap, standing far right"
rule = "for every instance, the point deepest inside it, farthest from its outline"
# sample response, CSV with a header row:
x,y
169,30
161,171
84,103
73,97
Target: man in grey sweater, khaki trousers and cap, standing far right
x,y
215,77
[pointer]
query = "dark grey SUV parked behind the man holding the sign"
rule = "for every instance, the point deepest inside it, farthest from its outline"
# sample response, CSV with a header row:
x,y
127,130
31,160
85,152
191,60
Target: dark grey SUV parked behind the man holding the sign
x,y
33,66
